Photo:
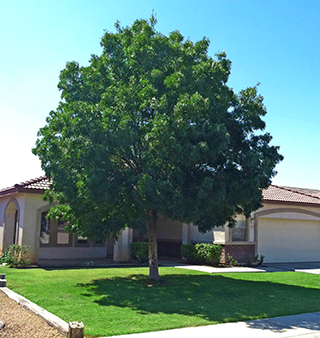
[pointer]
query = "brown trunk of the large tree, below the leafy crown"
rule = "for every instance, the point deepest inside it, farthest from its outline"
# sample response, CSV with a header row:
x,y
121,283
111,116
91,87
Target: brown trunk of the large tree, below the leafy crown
x,y
153,247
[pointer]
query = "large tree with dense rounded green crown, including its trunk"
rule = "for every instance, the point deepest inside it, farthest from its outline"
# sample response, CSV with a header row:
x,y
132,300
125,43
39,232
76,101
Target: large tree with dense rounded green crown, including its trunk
x,y
151,127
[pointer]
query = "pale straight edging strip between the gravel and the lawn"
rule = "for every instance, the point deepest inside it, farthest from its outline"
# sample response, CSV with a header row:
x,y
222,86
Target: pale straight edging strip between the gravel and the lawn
x,y
50,318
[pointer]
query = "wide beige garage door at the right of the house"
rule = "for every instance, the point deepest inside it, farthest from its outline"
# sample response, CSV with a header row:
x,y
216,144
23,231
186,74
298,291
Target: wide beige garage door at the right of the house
x,y
288,240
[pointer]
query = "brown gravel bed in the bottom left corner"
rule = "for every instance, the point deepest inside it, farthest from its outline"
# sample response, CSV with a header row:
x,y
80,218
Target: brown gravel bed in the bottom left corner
x,y
20,323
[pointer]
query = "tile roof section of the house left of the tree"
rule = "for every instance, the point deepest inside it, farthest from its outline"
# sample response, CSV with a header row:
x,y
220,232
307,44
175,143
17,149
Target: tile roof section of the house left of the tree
x,y
35,186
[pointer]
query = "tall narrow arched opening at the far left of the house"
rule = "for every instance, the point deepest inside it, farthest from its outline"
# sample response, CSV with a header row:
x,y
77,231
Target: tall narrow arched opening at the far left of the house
x,y
11,224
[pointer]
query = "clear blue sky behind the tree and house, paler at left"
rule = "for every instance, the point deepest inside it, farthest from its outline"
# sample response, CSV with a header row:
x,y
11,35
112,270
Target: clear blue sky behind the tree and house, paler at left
x,y
276,43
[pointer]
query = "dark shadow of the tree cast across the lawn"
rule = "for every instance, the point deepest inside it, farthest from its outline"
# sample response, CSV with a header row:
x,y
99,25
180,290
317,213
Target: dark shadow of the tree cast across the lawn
x,y
213,298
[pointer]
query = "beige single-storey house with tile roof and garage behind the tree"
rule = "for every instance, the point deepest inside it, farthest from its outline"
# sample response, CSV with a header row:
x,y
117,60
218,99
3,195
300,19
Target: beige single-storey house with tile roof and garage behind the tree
x,y
285,229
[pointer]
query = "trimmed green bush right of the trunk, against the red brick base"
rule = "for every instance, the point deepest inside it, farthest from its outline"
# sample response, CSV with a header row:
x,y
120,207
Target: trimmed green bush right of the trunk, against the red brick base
x,y
203,253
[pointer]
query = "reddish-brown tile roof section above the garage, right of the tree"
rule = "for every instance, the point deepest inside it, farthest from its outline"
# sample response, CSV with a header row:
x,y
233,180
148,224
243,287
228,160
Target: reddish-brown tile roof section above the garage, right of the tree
x,y
275,193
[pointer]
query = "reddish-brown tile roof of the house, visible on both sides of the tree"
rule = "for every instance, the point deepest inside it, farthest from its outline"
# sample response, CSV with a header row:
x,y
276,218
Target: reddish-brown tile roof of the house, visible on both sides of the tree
x,y
273,194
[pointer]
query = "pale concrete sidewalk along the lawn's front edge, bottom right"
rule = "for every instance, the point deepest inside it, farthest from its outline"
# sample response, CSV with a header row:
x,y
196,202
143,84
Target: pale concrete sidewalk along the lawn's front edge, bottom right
x,y
302,326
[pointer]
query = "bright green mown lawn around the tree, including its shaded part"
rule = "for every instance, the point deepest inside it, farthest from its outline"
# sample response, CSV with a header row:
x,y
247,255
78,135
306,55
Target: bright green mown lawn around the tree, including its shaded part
x,y
120,301
